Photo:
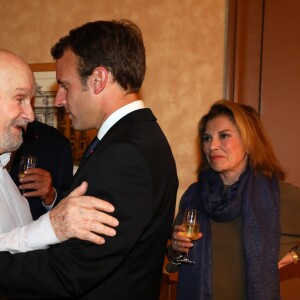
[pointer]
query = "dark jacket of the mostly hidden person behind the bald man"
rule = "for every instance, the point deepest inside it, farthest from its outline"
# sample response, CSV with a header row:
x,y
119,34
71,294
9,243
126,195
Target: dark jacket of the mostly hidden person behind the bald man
x,y
53,153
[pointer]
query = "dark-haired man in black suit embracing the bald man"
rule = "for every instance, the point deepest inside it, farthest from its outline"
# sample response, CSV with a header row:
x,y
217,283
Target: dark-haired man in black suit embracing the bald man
x,y
100,68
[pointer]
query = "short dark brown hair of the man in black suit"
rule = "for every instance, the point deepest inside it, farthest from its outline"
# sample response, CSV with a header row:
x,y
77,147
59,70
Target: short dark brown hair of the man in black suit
x,y
115,45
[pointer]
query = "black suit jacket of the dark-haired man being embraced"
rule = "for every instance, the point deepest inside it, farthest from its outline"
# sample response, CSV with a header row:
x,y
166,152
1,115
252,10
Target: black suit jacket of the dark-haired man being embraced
x,y
134,169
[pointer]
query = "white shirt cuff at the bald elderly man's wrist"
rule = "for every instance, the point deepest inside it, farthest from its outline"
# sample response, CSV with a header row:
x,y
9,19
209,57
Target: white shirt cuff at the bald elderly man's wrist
x,y
39,234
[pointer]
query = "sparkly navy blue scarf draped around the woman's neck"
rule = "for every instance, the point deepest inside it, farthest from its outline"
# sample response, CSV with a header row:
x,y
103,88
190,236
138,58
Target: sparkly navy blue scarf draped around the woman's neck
x,y
256,198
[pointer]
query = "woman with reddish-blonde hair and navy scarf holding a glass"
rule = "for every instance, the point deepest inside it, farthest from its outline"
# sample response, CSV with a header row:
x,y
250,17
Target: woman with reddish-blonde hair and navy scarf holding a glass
x,y
237,194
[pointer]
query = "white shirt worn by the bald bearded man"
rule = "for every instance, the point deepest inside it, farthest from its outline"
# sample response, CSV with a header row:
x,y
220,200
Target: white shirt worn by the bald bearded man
x,y
18,233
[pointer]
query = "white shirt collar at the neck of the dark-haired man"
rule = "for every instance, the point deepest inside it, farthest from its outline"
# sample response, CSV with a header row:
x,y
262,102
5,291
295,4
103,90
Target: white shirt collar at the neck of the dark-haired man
x,y
119,114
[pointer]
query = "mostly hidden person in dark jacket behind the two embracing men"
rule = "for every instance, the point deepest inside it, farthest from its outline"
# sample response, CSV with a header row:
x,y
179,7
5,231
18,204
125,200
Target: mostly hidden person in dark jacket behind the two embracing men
x,y
54,167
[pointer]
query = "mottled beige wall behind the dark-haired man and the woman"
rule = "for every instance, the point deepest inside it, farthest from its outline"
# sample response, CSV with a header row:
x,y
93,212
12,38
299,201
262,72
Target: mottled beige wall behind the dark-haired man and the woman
x,y
185,54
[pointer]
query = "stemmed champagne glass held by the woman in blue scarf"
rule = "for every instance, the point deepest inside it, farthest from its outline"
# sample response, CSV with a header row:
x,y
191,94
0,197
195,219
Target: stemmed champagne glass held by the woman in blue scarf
x,y
190,223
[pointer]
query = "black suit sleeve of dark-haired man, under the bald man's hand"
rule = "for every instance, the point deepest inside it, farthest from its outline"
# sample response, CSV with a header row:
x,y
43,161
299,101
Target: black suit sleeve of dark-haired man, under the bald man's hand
x,y
121,175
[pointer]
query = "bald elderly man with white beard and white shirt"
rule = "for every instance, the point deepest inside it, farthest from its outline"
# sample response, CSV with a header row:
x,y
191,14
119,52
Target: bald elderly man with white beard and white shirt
x,y
76,216
